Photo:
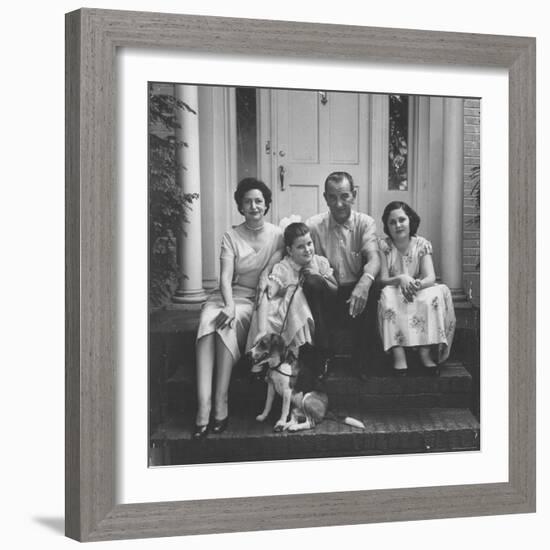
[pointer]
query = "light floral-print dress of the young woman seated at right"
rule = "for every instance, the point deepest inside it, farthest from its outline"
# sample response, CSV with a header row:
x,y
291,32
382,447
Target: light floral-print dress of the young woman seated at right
x,y
429,320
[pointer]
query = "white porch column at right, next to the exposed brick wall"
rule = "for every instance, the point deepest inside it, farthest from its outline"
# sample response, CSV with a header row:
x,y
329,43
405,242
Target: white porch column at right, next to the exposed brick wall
x,y
452,196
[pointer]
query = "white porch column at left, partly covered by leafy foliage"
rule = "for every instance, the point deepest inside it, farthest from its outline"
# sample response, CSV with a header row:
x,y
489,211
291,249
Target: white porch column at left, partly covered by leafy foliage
x,y
190,290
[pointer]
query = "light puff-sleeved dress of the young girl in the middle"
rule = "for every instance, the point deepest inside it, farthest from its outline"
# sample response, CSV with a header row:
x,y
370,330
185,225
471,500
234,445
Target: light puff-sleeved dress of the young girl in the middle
x,y
296,327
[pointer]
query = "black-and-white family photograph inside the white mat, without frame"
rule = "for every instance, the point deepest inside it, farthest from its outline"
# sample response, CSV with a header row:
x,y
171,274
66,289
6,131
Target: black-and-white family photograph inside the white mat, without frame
x,y
314,273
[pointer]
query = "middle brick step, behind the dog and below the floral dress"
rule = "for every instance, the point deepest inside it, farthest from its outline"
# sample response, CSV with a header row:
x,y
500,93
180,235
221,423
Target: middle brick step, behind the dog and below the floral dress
x,y
452,389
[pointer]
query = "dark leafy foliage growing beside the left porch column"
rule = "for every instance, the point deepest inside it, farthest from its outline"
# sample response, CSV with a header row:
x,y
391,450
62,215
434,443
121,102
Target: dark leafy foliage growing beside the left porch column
x,y
167,202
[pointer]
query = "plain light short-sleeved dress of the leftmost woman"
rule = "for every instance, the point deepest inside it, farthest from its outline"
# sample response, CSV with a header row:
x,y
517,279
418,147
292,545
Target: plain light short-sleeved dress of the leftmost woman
x,y
248,265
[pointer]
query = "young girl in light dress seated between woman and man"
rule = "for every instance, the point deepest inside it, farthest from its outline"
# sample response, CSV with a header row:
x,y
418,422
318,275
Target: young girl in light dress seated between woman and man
x,y
283,308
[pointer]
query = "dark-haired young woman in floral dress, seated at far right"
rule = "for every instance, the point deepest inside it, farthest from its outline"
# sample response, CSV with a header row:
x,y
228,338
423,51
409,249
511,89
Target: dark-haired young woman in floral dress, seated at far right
x,y
413,311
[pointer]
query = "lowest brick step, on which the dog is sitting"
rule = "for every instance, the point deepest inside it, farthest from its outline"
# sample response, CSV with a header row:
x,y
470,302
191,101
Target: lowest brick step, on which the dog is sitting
x,y
387,432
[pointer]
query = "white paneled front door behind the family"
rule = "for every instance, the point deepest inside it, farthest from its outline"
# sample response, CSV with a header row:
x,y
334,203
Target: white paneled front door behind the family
x,y
314,133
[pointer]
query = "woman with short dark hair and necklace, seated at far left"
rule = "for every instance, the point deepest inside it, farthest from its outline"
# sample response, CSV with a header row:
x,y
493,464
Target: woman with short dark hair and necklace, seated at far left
x,y
247,250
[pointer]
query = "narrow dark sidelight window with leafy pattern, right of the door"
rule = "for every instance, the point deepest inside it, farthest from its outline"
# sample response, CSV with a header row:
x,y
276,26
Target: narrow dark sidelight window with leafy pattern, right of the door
x,y
398,147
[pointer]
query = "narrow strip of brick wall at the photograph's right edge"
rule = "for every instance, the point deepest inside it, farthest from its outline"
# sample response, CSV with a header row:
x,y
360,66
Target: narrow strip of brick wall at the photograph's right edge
x,y
471,241
